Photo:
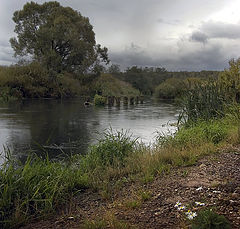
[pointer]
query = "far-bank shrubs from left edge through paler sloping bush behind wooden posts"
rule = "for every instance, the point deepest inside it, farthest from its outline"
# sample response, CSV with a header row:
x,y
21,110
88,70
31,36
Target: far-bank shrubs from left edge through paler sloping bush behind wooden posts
x,y
35,81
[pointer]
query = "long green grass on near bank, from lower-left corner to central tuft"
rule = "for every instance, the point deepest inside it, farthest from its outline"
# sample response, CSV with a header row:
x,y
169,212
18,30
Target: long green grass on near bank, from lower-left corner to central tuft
x,y
40,186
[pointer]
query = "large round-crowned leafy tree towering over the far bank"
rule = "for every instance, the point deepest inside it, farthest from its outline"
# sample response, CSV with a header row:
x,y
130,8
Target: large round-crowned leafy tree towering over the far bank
x,y
58,37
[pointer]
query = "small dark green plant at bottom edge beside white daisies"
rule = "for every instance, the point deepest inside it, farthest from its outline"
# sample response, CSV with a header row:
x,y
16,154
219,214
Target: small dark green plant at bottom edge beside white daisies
x,y
208,219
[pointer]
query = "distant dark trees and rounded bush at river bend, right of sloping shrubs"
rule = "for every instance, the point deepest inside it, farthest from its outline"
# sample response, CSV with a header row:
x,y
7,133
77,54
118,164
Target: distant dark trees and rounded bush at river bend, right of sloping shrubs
x,y
159,81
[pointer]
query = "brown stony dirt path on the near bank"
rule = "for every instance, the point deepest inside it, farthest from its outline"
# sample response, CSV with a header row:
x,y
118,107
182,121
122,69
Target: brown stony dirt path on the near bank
x,y
215,181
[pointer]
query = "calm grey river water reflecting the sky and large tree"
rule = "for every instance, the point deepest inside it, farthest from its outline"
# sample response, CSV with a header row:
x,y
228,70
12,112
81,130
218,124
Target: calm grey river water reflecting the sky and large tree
x,y
68,126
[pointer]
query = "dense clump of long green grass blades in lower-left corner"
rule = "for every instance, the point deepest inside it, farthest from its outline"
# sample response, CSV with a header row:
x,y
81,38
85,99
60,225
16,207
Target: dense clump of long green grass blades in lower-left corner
x,y
35,188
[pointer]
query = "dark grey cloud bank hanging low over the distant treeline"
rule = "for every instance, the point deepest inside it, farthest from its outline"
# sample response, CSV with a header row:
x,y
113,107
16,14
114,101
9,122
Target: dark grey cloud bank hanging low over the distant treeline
x,y
212,57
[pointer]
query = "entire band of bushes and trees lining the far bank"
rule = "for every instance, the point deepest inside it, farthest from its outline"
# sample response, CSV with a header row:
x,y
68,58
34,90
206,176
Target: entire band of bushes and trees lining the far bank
x,y
35,81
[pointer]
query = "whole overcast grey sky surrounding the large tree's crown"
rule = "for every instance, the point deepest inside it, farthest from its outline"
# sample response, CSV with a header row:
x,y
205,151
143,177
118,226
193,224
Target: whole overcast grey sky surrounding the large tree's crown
x,y
179,35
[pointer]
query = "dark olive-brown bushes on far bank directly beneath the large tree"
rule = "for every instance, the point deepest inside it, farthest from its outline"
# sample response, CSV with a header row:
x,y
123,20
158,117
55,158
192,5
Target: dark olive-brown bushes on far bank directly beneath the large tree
x,y
34,81
